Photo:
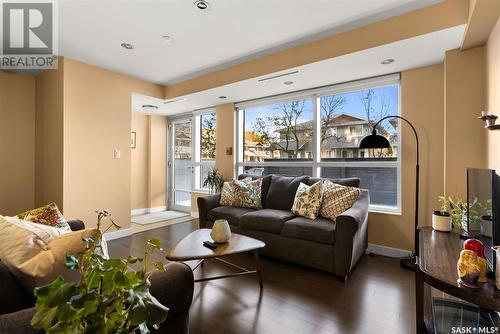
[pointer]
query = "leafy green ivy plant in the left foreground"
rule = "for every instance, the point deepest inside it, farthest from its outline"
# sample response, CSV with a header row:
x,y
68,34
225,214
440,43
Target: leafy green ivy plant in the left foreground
x,y
109,298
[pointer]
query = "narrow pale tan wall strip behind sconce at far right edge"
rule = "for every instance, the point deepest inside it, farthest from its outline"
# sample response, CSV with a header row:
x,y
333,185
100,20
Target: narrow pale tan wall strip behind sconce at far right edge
x,y
493,94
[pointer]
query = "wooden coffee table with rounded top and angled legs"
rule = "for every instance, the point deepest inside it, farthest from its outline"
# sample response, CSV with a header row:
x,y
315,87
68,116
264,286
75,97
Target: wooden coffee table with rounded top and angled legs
x,y
191,248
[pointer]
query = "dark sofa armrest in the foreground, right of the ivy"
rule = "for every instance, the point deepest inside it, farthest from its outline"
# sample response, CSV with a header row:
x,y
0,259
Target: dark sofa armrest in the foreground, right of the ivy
x,y
174,289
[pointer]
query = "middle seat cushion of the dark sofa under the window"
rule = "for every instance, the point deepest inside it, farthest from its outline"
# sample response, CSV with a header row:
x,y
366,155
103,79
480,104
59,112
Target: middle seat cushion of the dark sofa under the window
x,y
265,220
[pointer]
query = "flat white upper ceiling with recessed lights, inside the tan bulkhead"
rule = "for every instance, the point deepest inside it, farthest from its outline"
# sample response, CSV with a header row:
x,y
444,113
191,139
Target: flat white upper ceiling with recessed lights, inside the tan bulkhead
x,y
230,32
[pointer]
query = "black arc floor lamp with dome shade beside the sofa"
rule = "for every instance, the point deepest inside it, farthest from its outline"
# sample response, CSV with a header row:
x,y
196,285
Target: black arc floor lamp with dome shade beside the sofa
x,y
377,141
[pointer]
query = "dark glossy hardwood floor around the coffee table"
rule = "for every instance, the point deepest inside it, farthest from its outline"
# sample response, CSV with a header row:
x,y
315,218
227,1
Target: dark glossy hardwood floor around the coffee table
x,y
377,298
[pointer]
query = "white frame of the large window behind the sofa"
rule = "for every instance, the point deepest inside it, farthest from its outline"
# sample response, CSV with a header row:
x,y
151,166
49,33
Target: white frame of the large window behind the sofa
x,y
316,164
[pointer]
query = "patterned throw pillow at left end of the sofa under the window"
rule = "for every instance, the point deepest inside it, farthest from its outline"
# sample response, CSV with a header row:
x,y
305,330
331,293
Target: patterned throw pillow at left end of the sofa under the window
x,y
242,193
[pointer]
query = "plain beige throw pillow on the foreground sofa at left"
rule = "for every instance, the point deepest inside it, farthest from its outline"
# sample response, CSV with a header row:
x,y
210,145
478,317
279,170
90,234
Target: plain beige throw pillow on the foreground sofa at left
x,y
36,258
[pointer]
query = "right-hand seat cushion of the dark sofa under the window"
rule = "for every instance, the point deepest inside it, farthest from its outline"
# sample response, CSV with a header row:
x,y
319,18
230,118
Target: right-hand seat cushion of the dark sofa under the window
x,y
320,230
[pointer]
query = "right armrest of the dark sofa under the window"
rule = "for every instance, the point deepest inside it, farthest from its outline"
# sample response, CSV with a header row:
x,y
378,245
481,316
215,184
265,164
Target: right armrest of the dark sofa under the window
x,y
351,234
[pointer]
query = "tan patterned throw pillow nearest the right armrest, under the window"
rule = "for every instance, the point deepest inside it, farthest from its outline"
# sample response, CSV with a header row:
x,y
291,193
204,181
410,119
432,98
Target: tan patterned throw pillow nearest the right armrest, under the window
x,y
337,199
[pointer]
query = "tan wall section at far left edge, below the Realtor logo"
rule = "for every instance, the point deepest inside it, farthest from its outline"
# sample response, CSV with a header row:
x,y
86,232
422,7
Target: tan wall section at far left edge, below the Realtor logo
x,y
17,143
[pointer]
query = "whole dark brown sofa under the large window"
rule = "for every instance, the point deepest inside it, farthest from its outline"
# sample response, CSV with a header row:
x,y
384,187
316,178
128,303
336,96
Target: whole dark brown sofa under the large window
x,y
333,246
